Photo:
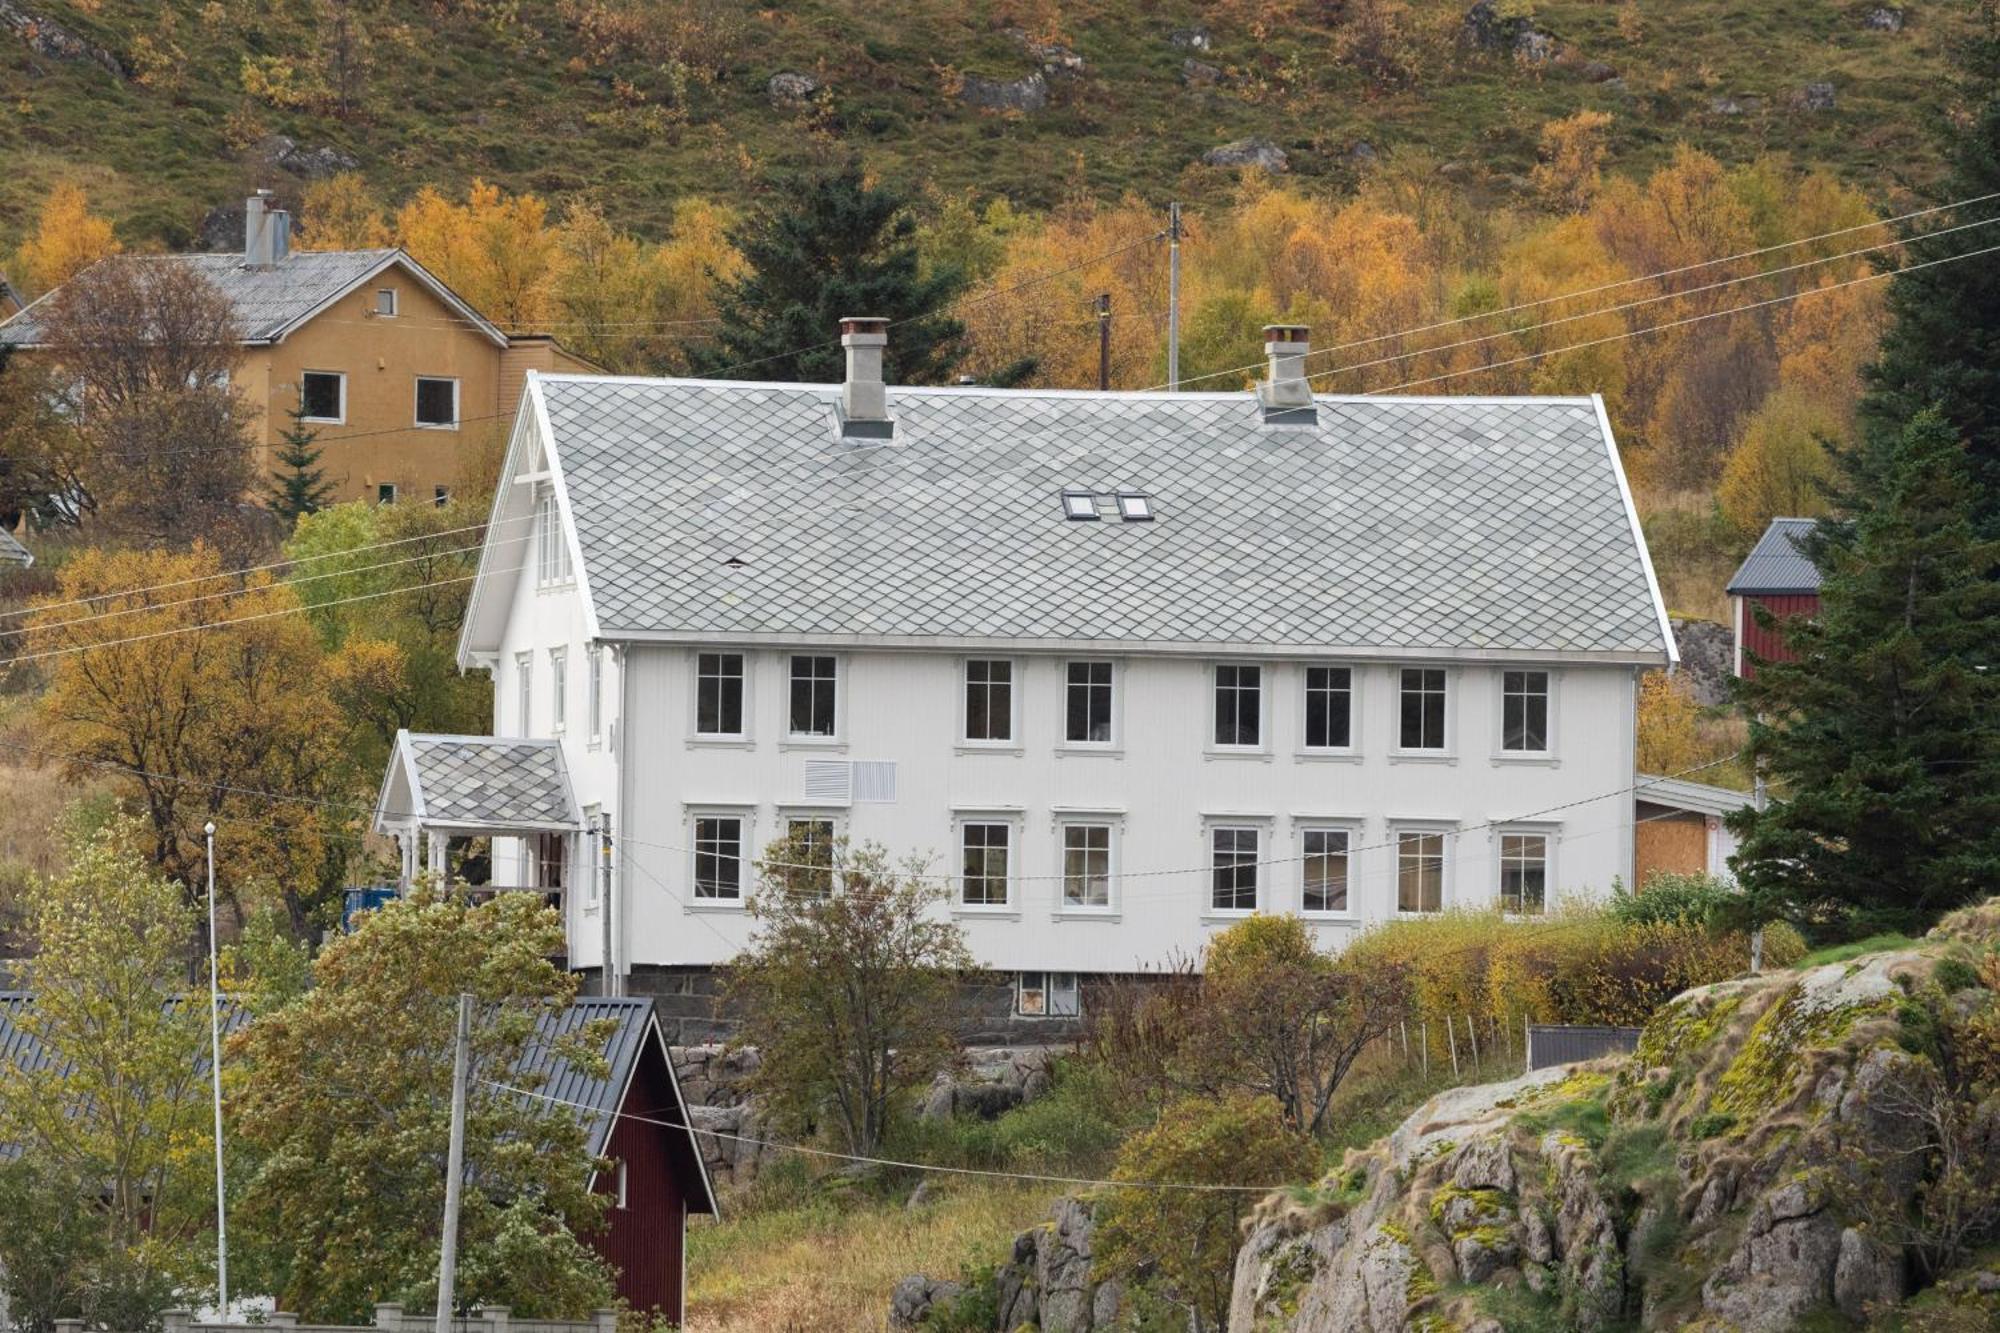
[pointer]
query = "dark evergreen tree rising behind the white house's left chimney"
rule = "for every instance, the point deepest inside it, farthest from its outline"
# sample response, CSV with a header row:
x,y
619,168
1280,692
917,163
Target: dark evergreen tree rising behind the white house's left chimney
x,y
835,247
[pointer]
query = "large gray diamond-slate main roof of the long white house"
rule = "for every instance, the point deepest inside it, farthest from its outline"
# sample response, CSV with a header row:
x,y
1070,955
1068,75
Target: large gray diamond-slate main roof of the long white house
x,y
1387,525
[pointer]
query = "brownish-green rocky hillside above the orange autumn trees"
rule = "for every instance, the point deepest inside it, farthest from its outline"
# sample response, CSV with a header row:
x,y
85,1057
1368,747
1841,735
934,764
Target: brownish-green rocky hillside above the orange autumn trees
x,y
169,109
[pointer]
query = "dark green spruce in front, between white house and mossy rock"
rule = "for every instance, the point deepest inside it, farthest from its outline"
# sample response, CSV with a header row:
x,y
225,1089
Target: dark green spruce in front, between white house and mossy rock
x,y
1883,738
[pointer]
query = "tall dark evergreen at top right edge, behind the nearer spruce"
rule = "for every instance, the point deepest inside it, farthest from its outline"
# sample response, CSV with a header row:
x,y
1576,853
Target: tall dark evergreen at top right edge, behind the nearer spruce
x,y
1943,349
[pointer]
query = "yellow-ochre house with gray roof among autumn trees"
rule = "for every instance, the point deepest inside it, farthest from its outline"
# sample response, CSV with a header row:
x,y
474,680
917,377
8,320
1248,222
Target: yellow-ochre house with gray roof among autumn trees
x,y
399,379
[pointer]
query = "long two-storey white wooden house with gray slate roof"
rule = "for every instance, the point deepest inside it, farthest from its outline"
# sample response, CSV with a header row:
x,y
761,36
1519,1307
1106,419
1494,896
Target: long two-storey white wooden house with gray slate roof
x,y
1121,665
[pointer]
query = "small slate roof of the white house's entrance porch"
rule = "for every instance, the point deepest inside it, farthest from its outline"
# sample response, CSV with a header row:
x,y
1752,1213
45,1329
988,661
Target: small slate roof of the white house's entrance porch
x,y
489,782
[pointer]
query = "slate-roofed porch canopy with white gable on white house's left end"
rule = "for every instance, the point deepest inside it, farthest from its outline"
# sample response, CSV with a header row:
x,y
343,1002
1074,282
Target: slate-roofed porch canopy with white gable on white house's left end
x,y
465,788
